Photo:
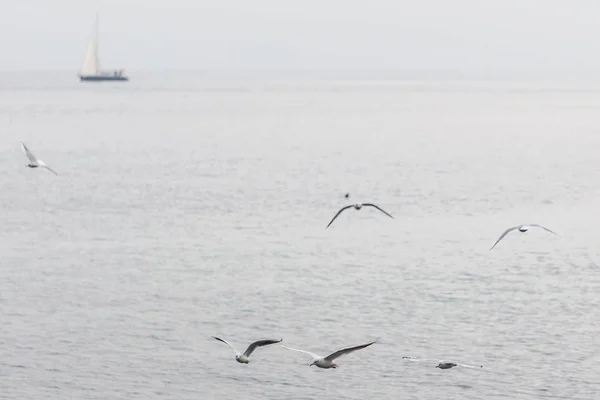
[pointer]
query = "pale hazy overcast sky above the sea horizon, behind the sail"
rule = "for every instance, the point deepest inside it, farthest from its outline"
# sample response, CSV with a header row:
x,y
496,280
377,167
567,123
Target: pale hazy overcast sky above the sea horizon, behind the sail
x,y
303,34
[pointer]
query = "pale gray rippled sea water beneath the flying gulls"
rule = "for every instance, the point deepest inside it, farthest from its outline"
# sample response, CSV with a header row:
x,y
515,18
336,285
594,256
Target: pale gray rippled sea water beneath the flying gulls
x,y
186,208
